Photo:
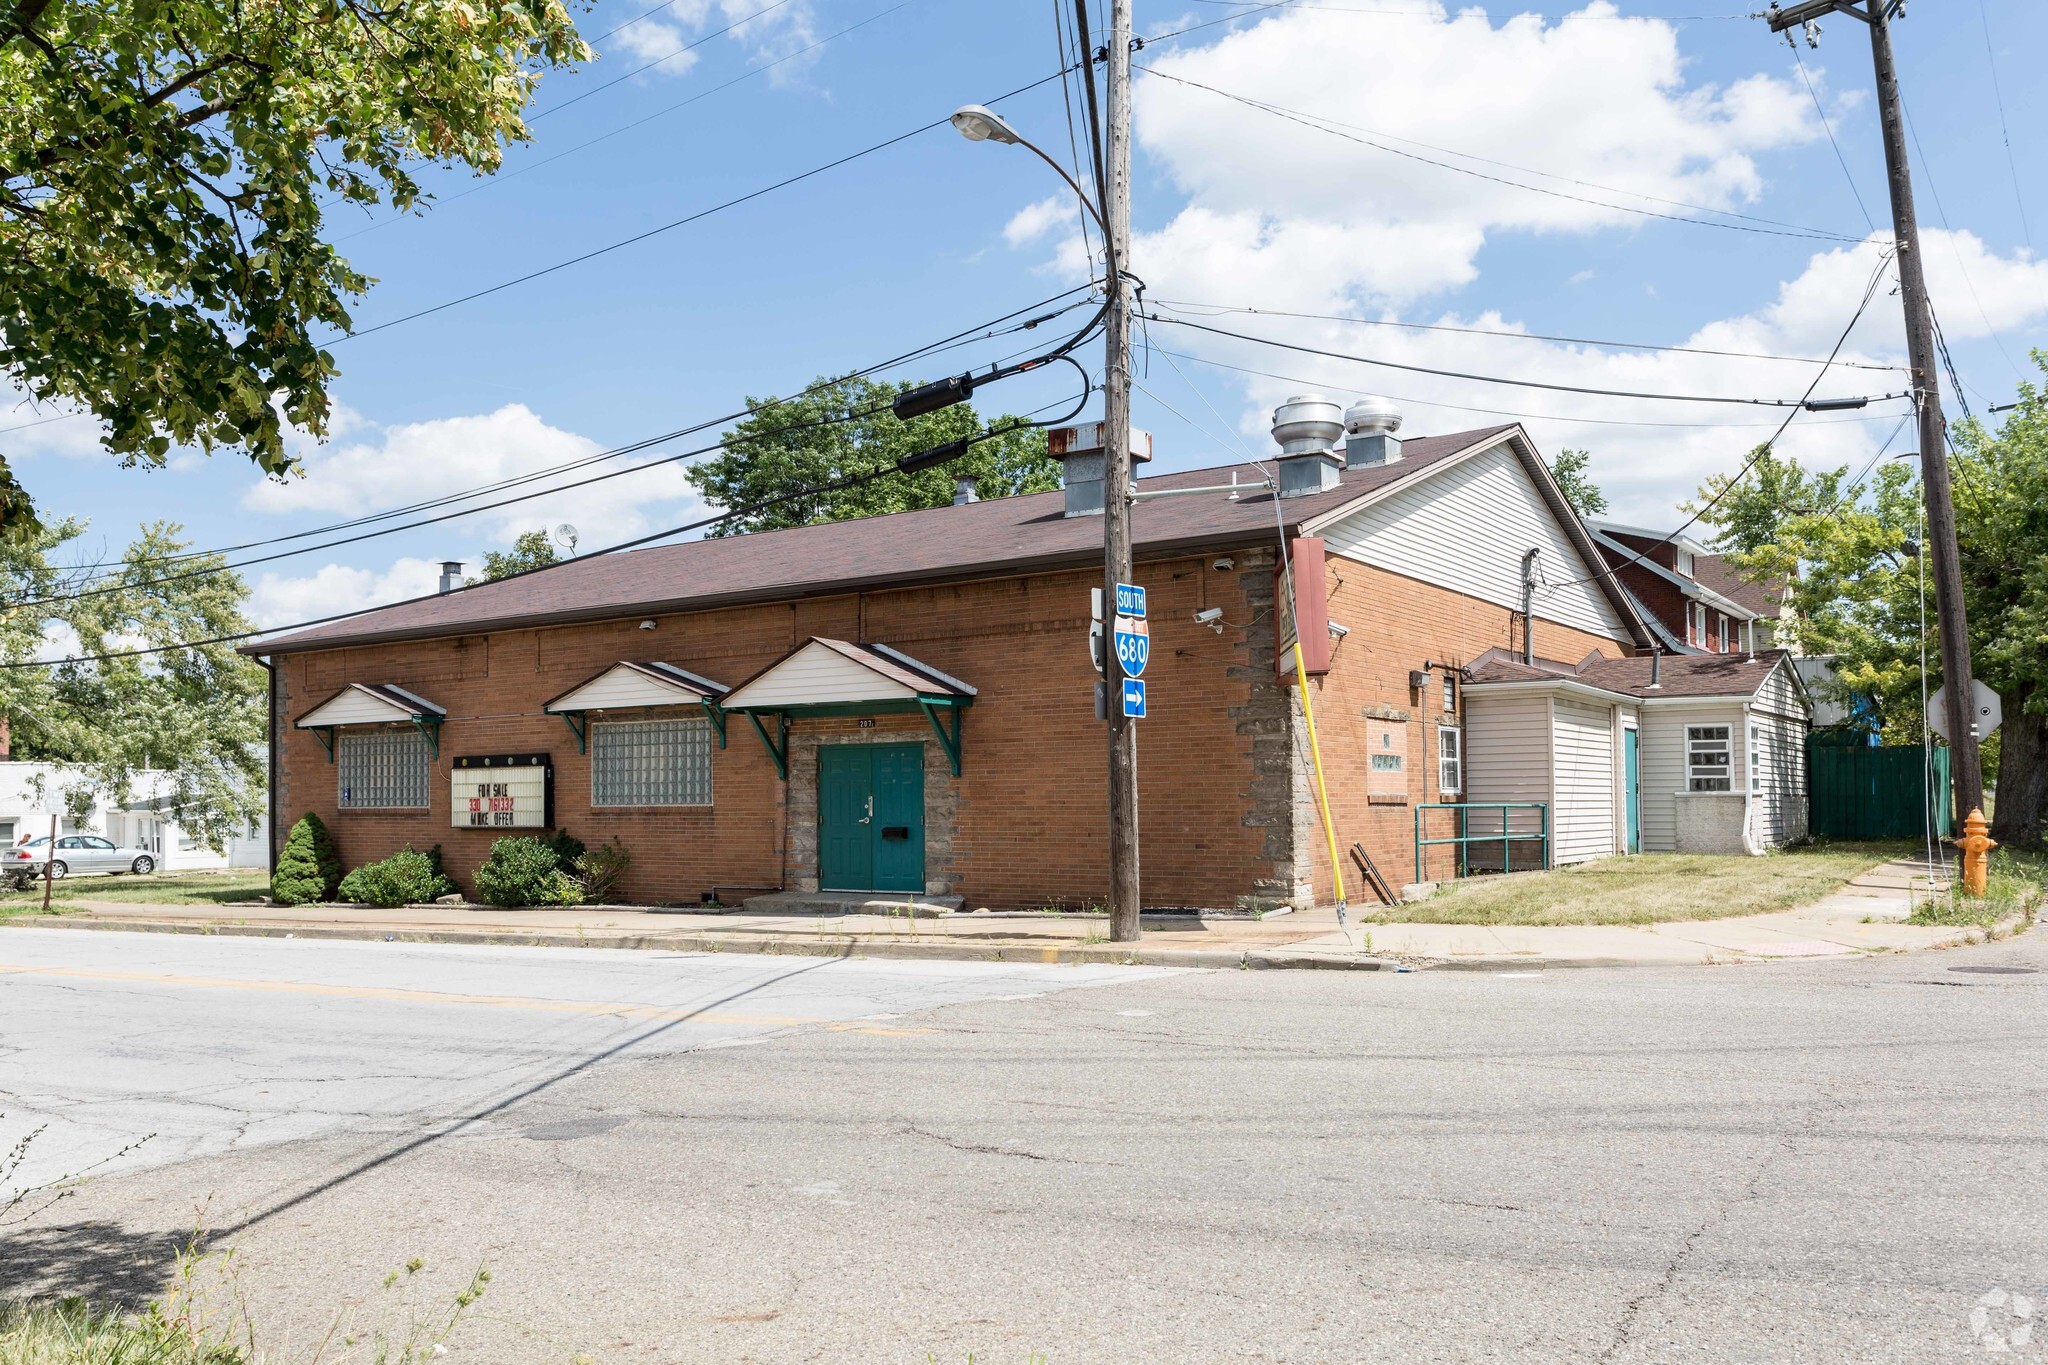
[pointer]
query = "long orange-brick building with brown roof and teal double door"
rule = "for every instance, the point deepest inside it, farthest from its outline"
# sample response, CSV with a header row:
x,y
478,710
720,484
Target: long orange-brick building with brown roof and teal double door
x,y
906,703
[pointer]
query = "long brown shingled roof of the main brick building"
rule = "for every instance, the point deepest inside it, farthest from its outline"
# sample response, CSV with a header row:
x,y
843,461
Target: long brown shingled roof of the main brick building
x,y
996,537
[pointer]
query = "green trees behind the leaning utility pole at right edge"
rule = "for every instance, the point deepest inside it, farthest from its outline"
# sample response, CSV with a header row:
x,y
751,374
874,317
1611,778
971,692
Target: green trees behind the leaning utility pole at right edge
x,y
1857,590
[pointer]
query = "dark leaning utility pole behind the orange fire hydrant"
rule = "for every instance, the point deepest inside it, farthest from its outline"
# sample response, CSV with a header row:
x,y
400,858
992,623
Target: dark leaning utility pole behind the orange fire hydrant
x,y
1947,560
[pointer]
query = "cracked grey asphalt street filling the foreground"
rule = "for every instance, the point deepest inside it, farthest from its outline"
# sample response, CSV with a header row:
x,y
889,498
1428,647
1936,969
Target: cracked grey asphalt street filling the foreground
x,y
1826,1161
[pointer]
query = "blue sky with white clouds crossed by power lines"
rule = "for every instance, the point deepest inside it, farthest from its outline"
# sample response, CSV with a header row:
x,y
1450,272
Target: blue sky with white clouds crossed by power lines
x,y
1236,208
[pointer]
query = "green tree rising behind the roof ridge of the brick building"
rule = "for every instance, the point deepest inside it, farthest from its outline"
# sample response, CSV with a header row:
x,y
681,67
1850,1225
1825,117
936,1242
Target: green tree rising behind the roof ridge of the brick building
x,y
765,461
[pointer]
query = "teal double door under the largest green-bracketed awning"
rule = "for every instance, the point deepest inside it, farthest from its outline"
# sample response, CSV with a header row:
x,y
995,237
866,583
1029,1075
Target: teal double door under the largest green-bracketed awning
x,y
871,818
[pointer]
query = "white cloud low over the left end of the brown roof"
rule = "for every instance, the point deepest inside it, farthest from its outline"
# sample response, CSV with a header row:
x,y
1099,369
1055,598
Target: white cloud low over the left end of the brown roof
x,y
423,461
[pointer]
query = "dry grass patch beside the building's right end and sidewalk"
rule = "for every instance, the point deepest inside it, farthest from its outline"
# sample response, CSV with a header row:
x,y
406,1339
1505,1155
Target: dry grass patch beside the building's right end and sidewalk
x,y
1646,889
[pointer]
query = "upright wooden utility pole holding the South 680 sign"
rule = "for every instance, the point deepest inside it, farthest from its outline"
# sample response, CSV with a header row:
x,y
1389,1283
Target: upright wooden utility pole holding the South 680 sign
x,y
1117,482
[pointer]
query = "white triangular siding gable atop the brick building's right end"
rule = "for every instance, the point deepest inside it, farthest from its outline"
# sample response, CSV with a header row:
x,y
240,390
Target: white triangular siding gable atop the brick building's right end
x,y
1467,529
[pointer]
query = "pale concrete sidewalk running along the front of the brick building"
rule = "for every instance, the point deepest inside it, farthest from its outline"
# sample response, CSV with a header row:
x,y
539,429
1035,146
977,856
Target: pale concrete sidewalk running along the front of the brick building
x,y
1863,918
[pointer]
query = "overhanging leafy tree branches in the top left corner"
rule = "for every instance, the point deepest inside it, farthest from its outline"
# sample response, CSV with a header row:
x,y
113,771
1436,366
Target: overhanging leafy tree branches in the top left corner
x,y
165,175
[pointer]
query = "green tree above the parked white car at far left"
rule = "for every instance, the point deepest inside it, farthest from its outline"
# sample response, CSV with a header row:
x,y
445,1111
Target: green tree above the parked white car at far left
x,y
194,713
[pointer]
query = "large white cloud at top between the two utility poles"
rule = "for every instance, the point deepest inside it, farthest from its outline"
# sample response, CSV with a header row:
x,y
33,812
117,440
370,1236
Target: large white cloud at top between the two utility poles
x,y
1590,99
